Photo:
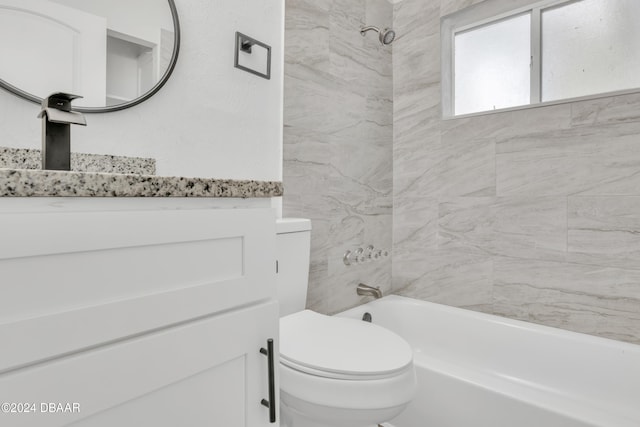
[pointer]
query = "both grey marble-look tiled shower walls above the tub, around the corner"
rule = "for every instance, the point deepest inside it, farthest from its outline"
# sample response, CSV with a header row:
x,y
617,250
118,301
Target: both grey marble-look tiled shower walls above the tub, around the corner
x,y
530,214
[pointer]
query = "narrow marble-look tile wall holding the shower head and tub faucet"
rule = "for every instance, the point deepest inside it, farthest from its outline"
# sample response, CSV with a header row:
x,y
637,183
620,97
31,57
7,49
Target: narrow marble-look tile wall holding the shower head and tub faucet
x,y
338,139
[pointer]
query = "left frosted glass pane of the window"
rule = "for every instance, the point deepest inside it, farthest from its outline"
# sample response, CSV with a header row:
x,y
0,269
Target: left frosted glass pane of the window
x,y
492,66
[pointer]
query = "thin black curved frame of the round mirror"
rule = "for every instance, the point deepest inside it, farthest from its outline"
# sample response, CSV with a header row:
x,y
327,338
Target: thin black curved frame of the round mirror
x,y
107,109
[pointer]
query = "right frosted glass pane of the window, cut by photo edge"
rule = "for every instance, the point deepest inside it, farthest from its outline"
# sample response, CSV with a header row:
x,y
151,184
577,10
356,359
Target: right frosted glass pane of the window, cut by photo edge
x,y
590,47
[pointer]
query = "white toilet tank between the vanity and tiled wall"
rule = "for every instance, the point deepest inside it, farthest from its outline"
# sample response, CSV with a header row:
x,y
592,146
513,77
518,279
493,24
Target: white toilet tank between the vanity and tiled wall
x,y
293,244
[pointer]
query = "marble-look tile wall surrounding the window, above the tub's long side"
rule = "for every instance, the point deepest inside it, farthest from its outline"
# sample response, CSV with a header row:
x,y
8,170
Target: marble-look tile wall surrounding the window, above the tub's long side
x,y
530,214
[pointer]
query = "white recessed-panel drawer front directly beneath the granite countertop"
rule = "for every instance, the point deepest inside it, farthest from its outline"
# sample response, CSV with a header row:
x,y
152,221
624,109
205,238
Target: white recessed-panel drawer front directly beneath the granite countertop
x,y
77,280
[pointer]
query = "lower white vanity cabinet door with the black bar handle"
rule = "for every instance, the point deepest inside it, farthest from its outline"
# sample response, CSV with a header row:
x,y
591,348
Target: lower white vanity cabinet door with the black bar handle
x,y
208,372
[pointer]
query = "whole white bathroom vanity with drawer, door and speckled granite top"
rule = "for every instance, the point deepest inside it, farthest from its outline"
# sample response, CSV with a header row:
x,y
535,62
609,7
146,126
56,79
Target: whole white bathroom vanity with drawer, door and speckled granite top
x,y
136,311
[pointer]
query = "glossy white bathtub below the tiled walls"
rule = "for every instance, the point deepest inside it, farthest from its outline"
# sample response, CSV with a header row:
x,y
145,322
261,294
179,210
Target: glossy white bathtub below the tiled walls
x,y
478,370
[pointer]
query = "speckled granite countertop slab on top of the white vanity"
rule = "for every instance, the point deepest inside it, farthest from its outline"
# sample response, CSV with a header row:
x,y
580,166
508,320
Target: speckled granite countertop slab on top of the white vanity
x,y
45,183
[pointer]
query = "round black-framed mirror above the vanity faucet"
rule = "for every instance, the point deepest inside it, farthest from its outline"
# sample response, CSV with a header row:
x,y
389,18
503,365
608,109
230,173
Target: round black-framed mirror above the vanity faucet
x,y
113,53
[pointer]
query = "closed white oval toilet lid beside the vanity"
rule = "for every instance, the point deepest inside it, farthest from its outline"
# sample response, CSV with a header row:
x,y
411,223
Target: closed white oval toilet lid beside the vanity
x,y
338,347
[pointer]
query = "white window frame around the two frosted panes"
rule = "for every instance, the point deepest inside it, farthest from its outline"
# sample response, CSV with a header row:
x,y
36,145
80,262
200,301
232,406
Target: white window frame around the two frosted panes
x,y
491,12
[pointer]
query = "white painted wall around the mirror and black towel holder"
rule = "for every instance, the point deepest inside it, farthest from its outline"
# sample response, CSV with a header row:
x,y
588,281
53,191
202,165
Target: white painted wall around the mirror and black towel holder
x,y
210,119
